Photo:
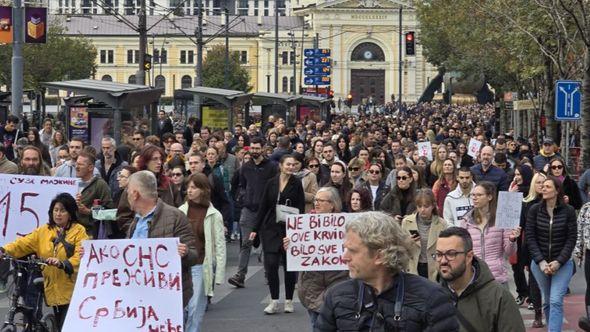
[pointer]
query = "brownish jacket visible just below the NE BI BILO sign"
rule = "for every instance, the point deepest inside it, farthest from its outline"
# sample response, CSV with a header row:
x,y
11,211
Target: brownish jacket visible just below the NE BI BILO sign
x,y
313,284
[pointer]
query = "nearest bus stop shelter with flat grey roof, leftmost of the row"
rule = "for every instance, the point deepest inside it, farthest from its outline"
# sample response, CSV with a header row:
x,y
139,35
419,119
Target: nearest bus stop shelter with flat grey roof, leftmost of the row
x,y
118,96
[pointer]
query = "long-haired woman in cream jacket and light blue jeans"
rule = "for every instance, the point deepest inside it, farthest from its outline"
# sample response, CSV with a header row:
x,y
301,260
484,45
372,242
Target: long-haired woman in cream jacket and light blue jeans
x,y
207,225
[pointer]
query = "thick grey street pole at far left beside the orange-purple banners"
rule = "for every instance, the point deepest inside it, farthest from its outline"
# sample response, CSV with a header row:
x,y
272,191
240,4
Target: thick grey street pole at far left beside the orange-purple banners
x,y
17,59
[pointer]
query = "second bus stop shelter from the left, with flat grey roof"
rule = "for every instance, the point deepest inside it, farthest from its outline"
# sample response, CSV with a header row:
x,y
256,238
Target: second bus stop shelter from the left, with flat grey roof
x,y
231,99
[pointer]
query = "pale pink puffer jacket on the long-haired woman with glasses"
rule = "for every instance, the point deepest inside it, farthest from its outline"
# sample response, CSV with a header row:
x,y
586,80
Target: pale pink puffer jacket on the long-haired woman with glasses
x,y
492,245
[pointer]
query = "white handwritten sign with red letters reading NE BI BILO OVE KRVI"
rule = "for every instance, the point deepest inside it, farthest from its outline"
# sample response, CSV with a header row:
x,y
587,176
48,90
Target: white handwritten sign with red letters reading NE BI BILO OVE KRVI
x,y
316,242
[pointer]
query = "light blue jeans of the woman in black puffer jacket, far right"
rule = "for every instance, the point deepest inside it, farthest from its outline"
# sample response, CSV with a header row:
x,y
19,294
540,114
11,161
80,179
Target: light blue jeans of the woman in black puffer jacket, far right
x,y
553,289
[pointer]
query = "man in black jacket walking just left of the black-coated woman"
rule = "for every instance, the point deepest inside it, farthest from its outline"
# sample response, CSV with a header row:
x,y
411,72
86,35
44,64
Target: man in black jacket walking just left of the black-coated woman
x,y
252,178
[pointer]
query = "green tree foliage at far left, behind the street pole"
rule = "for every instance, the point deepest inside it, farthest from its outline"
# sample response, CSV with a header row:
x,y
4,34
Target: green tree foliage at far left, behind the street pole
x,y
59,59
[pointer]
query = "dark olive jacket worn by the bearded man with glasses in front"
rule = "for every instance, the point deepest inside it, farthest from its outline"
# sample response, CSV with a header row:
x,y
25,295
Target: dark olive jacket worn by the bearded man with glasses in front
x,y
485,305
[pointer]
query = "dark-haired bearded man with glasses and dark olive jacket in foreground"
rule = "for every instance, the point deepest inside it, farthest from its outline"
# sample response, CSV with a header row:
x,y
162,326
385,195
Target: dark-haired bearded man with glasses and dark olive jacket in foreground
x,y
482,303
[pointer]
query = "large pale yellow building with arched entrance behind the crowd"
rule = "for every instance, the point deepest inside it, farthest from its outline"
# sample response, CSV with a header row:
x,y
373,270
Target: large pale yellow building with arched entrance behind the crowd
x,y
363,37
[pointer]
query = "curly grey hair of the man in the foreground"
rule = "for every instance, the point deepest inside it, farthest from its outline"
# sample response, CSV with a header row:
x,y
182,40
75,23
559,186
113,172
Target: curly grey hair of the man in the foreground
x,y
381,232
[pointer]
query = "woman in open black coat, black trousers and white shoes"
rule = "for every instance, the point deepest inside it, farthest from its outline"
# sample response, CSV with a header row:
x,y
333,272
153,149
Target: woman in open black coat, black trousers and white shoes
x,y
284,189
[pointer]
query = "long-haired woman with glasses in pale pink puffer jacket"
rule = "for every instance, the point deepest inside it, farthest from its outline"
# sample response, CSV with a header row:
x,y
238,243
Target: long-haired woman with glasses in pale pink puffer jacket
x,y
492,244
